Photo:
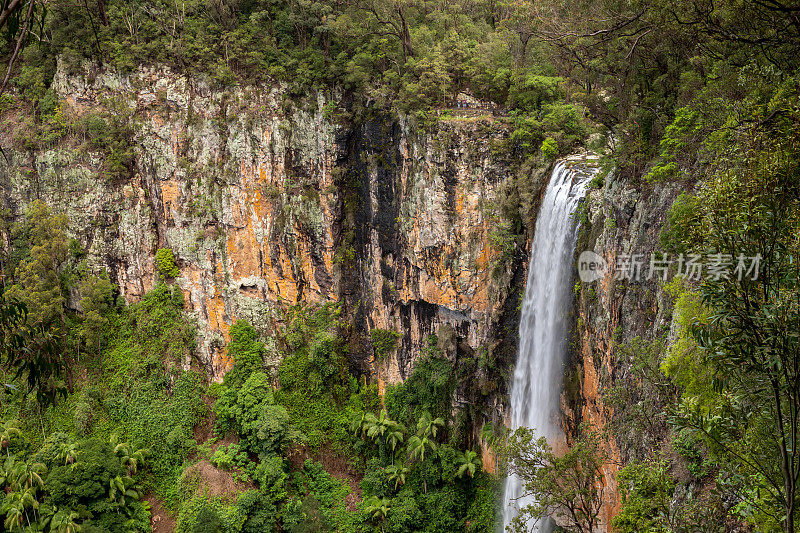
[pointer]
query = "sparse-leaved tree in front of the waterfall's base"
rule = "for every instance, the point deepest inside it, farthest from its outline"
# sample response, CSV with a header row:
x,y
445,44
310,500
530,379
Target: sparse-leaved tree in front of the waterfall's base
x,y
568,487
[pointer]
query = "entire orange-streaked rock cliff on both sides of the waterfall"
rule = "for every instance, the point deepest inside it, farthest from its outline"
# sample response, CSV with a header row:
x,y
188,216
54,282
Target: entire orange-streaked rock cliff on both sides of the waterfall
x,y
268,199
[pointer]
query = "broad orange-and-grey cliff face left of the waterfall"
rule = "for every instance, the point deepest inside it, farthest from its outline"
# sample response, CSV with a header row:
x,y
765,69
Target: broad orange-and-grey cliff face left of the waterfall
x,y
268,200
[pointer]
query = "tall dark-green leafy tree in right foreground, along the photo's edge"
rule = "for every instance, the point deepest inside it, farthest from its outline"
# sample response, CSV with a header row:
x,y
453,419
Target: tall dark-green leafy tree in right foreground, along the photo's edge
x,y
749,339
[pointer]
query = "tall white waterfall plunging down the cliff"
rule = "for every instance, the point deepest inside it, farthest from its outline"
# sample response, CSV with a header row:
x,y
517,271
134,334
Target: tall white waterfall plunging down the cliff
x,y
543,325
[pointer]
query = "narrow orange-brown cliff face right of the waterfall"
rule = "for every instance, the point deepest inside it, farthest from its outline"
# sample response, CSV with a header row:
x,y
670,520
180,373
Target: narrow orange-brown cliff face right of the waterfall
x,y
620,221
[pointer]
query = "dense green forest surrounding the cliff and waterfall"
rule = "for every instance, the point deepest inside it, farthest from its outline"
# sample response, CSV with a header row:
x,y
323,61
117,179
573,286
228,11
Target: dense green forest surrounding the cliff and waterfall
x,y
109,422
